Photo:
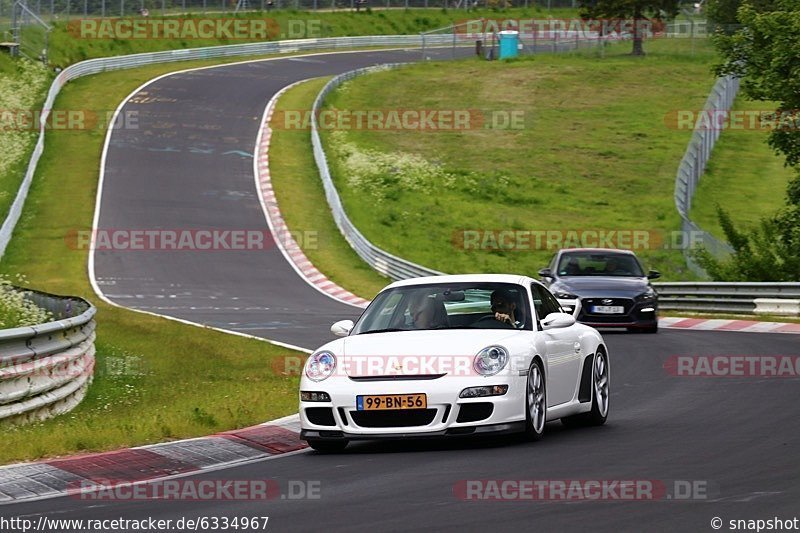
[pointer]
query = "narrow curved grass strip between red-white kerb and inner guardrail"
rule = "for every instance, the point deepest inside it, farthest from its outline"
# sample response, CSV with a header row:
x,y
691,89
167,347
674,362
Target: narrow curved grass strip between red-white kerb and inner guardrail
x,y
301,197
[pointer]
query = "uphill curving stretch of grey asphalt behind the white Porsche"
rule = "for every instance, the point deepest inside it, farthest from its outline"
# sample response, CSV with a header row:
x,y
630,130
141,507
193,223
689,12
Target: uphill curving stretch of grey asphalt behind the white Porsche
x,y
188,165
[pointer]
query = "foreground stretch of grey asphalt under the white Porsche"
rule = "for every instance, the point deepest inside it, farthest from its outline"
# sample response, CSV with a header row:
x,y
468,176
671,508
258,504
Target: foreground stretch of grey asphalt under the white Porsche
x,y
736,438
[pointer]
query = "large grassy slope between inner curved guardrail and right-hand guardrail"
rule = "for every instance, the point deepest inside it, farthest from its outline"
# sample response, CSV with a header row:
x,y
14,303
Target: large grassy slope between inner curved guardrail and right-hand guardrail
x,y
594,153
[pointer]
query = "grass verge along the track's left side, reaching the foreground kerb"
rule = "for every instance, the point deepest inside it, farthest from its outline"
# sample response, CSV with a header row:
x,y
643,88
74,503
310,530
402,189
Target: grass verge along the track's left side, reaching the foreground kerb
x,y
155,379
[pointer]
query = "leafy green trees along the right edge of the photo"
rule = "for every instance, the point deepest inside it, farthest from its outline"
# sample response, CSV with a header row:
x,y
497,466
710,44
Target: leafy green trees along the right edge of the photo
x,y
764,54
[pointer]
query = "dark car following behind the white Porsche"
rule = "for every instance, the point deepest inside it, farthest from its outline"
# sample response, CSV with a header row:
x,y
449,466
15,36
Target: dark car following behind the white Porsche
x,y
612,287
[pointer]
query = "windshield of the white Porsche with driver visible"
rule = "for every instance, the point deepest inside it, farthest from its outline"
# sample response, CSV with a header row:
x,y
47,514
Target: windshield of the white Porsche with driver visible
x,y
447,306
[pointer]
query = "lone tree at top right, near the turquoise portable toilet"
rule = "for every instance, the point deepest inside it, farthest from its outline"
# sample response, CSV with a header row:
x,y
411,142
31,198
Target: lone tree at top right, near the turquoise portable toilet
x,y
638,10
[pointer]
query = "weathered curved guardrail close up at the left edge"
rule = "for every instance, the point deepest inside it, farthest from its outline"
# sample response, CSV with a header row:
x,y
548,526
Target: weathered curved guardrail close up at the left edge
x,y
46,369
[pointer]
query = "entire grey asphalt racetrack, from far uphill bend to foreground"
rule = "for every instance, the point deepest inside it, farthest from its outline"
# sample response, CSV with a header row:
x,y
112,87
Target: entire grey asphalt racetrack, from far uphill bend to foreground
x,y
736,441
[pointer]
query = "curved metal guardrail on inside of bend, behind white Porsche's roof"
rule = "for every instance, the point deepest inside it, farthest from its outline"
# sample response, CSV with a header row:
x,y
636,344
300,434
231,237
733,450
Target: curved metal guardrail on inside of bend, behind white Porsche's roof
x,y
382,261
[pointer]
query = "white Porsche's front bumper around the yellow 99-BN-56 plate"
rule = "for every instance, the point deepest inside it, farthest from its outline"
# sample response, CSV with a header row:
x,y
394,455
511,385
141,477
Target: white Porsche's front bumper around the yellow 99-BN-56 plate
x,y
445,414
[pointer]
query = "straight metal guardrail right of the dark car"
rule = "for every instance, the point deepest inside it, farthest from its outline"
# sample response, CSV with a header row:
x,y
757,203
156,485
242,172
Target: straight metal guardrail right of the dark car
x,y
722,297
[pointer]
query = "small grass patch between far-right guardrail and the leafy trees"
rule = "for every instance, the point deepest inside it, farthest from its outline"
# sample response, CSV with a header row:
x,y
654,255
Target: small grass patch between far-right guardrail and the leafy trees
x,y
744,176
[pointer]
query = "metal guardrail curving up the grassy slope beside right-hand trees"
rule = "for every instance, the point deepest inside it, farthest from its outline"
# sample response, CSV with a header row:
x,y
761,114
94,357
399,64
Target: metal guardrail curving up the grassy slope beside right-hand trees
x,y
693,165
